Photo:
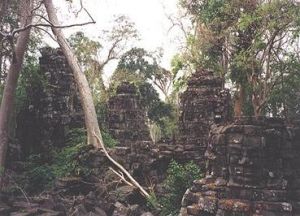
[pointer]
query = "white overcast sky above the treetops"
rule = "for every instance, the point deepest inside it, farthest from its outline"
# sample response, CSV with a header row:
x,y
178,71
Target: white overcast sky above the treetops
x,y
148,15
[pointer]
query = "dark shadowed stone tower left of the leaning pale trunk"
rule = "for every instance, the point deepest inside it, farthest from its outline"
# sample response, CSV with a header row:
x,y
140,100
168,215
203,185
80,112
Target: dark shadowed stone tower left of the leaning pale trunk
x,y
53,108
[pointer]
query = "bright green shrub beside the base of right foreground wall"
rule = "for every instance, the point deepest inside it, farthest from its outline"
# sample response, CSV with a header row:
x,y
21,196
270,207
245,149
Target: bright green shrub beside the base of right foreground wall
x,y
179,179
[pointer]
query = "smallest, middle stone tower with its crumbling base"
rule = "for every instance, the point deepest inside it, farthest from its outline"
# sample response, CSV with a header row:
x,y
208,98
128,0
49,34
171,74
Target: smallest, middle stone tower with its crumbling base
x,y
127,124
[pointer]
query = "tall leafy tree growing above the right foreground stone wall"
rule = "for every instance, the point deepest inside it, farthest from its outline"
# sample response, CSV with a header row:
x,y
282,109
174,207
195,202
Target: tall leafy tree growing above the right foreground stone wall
x,y
245,40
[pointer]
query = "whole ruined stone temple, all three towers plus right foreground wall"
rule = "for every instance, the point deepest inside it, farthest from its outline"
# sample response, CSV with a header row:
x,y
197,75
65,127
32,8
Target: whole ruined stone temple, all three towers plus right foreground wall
x,y
251,165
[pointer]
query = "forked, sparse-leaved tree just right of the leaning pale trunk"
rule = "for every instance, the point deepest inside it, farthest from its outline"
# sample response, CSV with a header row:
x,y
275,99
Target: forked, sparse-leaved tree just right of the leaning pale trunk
x,y
94,55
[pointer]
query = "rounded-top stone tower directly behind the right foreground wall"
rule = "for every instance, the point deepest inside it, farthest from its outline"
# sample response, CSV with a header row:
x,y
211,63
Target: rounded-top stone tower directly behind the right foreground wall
x,y
204,102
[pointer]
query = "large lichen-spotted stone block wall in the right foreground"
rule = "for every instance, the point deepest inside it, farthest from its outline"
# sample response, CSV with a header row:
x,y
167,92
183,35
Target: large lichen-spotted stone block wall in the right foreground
x,y
251,170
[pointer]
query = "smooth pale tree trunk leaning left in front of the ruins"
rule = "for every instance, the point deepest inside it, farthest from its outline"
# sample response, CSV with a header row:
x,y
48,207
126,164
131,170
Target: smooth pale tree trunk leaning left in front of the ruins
x,y
91,122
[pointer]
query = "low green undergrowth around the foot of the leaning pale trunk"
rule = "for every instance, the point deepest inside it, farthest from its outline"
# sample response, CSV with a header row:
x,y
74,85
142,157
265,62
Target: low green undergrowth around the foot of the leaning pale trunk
x,y
40,175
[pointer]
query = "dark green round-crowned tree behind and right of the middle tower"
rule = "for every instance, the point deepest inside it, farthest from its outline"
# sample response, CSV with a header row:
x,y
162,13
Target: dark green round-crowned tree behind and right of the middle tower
x,y
141,67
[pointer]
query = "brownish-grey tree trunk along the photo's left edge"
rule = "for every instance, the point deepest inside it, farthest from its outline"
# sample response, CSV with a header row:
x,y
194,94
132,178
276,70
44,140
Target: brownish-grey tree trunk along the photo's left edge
x,y
7,103
